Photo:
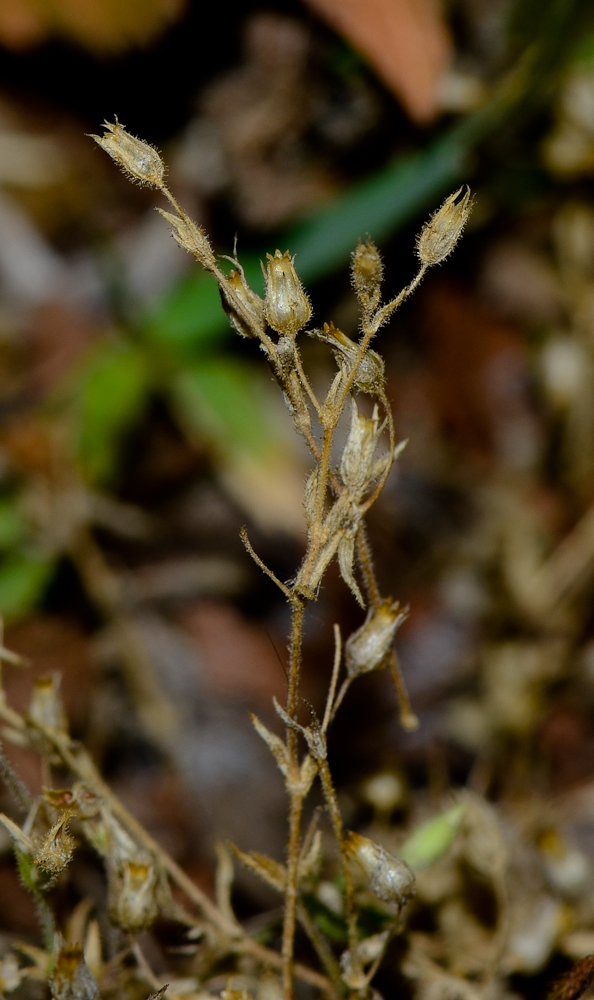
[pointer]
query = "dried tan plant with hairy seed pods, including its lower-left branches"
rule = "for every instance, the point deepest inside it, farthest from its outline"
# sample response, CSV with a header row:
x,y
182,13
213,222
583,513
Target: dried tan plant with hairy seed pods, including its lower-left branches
x,y
337,497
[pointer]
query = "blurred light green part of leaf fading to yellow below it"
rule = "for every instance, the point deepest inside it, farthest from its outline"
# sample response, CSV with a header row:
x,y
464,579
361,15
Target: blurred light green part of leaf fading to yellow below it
x,y
222,399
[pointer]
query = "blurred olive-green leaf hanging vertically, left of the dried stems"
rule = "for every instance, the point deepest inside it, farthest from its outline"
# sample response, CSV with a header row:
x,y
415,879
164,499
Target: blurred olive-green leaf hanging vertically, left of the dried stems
x,y
110,395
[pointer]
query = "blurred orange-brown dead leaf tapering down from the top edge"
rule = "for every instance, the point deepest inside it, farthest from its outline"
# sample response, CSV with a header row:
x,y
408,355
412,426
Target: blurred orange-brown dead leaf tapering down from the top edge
x,y
406,41
